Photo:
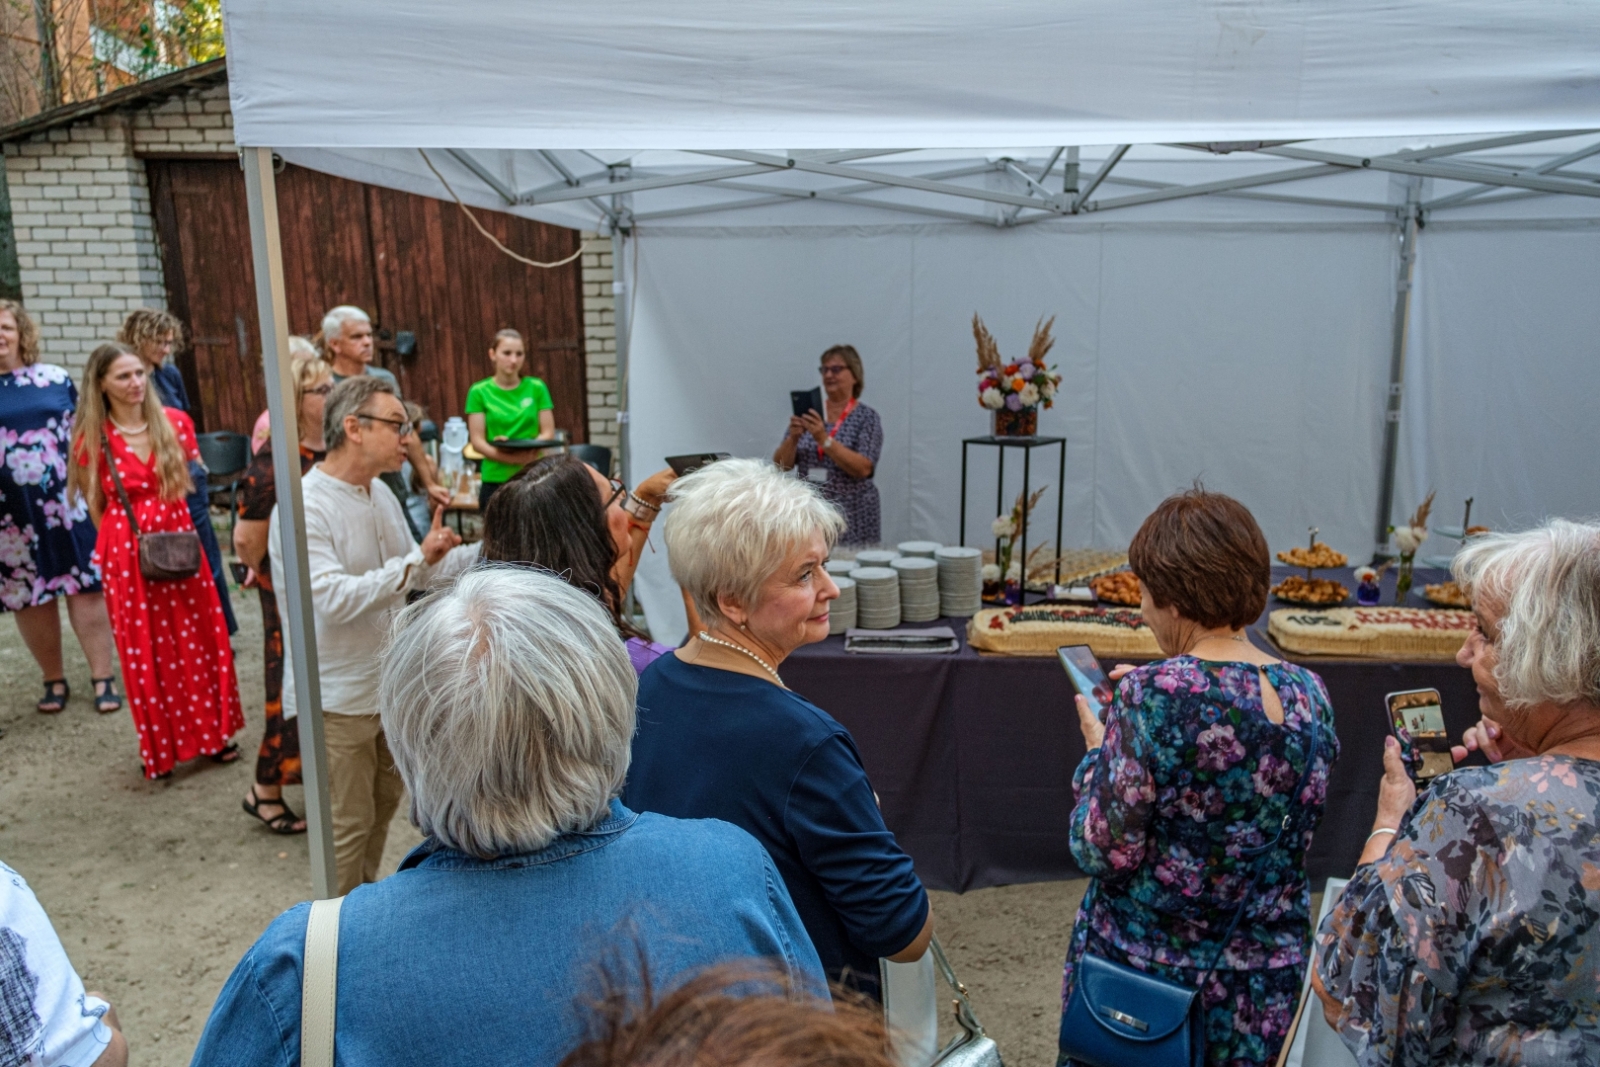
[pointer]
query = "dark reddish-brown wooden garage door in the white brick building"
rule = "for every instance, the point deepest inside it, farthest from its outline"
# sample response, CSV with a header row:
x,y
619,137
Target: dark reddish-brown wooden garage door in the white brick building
x,y
412,263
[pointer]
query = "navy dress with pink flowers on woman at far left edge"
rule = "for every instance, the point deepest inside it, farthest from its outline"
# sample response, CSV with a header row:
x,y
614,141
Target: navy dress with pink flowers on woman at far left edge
x,y
46,543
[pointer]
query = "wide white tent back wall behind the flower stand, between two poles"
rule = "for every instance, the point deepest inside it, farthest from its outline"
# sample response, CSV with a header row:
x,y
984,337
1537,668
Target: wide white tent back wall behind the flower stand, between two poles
x,y
1252,356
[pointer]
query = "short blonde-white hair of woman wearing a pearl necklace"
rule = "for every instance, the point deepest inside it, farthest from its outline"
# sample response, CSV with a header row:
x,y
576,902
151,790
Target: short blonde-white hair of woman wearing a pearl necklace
x,y
732,527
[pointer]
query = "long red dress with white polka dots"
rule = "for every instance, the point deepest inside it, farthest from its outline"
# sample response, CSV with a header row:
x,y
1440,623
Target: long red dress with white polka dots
x,y
172,637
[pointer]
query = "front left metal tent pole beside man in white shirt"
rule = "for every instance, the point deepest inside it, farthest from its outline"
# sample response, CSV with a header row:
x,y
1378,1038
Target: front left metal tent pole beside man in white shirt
x,y
300,628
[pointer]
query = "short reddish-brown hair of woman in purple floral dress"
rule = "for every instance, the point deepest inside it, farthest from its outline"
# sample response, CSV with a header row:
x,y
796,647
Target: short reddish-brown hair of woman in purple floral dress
x,y
1206,556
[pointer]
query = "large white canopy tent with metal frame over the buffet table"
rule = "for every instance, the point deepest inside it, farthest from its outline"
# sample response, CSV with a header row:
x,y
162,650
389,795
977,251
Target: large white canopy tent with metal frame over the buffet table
x,y
1230,249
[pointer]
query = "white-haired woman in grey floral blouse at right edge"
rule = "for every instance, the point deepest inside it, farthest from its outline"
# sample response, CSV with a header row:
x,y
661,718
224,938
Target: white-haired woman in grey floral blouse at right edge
x,y
1471,933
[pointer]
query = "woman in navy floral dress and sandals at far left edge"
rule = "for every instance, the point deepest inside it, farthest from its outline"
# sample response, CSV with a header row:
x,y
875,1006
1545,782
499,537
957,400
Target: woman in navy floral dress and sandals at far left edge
x,y
47,545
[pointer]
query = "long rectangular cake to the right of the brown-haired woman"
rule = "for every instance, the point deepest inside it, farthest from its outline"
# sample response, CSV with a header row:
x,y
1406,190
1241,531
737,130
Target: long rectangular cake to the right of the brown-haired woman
x,y
1422,633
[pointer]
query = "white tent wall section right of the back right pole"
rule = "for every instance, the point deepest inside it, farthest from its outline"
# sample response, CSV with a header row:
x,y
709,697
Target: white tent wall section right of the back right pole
x,y
1503,375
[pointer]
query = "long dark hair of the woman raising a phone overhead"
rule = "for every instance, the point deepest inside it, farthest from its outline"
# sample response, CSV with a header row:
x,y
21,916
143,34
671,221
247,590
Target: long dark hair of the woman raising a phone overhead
x,y
551,516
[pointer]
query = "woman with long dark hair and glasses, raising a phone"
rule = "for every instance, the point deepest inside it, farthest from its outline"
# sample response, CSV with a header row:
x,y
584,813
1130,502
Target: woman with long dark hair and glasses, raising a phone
x,y
564,516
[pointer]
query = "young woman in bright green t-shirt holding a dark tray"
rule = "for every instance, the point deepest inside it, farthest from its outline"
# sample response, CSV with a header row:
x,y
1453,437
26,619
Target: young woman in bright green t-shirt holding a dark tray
x,y
508,409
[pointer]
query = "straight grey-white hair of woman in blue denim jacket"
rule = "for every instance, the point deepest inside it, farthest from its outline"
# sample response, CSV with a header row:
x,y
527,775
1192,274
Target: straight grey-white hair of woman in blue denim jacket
x,y
508,703
